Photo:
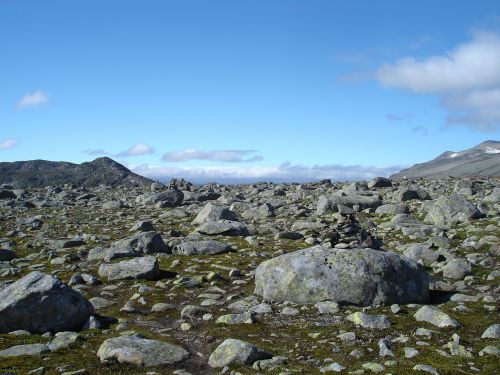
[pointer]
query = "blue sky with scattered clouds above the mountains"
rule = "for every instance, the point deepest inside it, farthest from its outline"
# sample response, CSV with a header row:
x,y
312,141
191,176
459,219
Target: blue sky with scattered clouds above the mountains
x,y
248,90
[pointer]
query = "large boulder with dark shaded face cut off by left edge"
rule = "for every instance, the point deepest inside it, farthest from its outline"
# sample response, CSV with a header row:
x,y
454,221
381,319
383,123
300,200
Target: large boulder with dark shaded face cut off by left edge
x,y
41,303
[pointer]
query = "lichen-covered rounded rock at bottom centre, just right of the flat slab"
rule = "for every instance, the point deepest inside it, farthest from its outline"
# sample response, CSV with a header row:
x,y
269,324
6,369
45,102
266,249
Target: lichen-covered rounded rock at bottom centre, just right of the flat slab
x,y
236,352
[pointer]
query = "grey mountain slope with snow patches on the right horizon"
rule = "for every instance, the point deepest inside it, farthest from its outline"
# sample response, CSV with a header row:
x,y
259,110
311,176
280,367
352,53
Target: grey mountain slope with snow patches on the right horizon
x,y
480,161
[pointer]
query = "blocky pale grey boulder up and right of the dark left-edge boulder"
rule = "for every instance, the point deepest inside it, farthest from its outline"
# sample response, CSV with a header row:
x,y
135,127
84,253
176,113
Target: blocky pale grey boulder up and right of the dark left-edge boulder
x,y
138,268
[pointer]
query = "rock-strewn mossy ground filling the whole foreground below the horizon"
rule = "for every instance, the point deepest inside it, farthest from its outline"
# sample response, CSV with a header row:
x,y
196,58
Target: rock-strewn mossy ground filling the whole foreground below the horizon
x,y
358,278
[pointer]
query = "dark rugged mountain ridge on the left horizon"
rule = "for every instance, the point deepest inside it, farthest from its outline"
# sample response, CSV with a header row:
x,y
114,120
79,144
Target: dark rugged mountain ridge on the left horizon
x,y
37,173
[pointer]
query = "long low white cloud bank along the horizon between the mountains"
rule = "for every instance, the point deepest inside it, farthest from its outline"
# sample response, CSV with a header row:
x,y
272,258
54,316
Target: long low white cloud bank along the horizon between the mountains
x,y
285,172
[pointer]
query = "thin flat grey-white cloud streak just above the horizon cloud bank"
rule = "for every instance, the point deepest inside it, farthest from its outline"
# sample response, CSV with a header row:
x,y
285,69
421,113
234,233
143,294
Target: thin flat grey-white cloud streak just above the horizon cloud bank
x,y
229,156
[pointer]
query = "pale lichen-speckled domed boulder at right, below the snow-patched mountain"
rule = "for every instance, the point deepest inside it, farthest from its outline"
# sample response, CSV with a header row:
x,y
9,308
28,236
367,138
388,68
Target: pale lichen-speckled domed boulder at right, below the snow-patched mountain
x,y
447,210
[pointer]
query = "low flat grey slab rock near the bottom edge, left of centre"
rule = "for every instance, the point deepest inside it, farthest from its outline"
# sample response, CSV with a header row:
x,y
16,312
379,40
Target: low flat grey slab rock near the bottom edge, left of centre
x,y
140,351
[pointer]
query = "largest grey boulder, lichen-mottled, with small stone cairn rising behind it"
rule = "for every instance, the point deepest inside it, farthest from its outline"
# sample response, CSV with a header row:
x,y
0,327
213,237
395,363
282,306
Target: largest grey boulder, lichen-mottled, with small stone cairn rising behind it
x,y
353,276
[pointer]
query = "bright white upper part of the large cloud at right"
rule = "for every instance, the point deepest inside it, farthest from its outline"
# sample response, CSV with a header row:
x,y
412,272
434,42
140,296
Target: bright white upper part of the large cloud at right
x,y
470,65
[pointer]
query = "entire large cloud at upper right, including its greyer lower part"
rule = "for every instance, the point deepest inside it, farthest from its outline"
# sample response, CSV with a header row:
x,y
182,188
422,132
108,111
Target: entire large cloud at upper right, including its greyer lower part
x,y
467,79
